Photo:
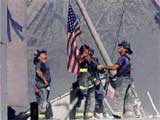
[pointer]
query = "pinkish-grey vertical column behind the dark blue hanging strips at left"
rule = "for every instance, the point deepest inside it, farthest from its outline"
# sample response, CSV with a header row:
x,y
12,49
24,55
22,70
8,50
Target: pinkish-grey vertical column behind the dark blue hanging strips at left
x,y
17,74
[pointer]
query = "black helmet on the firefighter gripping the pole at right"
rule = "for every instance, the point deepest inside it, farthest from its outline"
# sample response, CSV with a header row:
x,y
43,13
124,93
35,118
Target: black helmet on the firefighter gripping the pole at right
x,y
126,45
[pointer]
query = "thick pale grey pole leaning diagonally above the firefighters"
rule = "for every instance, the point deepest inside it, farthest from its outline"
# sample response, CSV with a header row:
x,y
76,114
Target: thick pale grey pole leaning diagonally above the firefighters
x,y
95,35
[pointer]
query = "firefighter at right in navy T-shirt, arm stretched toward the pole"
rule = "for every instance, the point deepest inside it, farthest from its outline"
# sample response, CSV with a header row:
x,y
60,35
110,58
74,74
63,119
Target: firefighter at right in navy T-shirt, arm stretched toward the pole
x,y
123,103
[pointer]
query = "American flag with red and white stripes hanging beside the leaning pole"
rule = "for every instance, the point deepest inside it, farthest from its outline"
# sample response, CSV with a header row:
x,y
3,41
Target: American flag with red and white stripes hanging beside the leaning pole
x,y
73,31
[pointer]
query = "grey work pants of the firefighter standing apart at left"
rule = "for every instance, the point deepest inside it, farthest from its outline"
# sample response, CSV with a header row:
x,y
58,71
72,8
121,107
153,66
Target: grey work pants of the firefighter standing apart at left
x,y
43,104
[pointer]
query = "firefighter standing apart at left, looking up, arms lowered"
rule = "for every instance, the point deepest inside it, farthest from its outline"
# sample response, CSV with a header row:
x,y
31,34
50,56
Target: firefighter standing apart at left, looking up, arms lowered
x,y
42,84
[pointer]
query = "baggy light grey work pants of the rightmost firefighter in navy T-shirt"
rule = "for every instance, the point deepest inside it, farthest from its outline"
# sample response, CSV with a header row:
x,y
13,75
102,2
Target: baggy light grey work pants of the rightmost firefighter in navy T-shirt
x,y
124,97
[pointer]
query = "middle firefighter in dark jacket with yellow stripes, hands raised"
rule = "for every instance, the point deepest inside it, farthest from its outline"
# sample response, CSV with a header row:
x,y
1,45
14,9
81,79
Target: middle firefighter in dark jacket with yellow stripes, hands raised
x,y
87,79
